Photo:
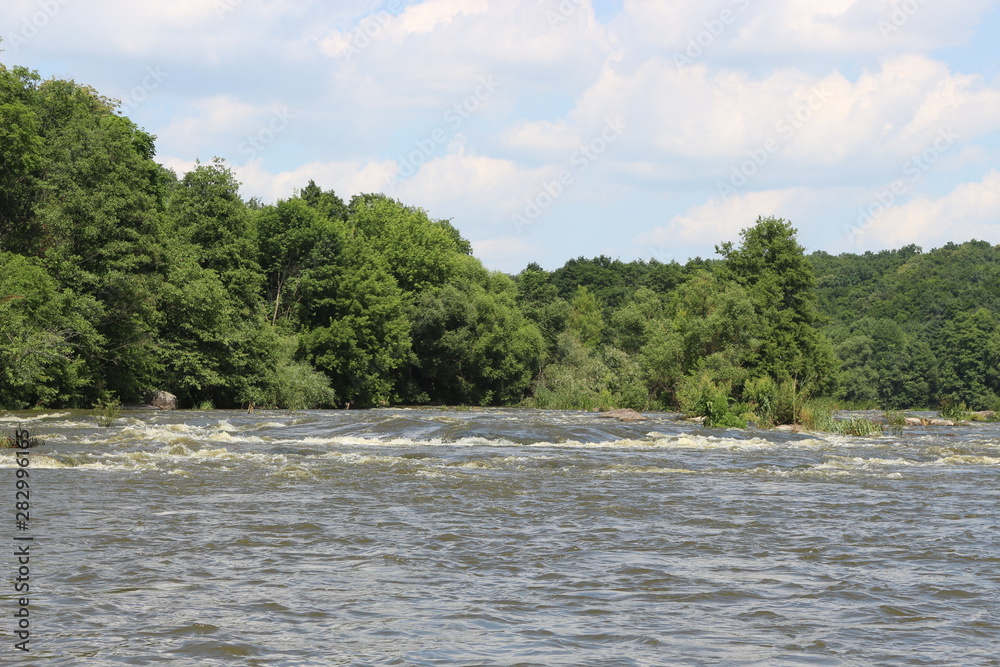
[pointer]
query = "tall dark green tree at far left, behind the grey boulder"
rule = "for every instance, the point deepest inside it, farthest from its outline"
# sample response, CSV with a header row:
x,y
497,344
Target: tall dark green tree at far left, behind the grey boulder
x,y
96,224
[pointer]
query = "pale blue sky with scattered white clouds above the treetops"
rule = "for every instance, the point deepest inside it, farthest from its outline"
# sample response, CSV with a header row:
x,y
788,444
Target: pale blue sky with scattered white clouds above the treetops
x,y
547,130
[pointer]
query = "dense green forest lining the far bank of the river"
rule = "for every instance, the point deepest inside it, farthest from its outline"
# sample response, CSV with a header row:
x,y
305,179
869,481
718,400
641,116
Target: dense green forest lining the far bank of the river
x,y
119,277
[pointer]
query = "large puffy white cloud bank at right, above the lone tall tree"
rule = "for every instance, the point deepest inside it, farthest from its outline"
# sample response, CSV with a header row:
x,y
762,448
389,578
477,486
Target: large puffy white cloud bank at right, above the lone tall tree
x,y
820,126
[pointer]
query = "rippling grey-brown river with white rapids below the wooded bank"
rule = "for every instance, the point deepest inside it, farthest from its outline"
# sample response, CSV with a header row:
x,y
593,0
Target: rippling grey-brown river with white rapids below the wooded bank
x,y
500,537
